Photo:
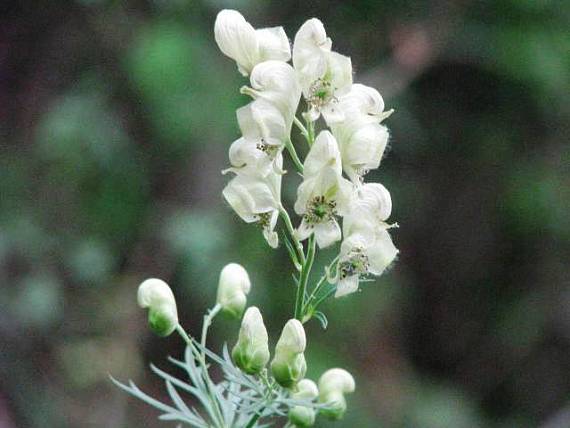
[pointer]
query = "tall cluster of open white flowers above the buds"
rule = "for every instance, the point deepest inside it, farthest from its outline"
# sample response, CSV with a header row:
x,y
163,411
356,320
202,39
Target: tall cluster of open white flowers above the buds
x,y
333,171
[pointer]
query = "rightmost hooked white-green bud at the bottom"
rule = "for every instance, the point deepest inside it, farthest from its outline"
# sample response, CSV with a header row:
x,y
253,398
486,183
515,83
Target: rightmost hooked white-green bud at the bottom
x,y
333,384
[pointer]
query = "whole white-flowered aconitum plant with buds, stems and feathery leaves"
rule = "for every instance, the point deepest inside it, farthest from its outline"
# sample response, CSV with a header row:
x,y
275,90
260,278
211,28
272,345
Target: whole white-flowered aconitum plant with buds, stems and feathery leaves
x,y
334,204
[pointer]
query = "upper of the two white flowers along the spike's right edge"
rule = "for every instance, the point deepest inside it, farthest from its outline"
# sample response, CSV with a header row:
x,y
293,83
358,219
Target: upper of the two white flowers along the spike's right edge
x,y
362,139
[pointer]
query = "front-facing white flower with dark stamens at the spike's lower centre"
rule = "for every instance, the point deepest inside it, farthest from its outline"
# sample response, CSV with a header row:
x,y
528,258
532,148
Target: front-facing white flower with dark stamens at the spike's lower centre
x,y
324,193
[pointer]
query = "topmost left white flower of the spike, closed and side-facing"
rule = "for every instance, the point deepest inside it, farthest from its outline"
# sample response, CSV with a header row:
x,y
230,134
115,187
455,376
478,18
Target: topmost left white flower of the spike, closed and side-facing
x,y
248,47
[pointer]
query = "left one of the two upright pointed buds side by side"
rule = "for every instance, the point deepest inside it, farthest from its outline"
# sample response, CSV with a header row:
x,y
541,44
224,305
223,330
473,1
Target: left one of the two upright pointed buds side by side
x,y
251,352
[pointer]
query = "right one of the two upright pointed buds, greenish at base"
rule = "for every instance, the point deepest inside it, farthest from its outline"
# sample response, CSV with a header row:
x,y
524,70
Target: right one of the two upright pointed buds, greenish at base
x,y
288,365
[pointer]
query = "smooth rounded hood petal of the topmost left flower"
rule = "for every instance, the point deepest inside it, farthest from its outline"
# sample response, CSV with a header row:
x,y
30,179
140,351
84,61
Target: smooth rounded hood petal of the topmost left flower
x,y
237,39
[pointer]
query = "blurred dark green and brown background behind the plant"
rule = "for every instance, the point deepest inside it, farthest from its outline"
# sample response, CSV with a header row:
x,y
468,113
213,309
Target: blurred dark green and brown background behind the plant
x,y
115,120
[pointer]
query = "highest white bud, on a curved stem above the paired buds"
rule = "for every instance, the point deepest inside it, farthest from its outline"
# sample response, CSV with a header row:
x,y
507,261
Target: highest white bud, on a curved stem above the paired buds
x,y
233,287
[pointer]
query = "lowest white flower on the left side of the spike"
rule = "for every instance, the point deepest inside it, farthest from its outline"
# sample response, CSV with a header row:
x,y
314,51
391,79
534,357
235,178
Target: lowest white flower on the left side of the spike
x,y
257,199
